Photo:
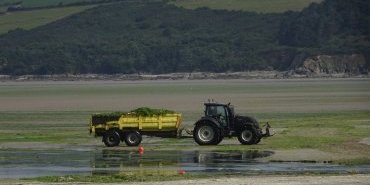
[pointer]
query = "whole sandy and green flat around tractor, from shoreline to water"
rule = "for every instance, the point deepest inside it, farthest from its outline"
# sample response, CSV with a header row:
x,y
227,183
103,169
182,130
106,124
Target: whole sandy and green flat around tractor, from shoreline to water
x,y
320,120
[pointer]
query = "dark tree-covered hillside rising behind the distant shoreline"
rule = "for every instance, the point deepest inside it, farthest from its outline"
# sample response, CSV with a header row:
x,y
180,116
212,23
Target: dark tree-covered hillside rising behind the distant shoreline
x,y
161,38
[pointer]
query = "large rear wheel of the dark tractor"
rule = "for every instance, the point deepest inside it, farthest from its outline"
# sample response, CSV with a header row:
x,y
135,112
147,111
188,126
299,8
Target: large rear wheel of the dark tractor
x,y
206,134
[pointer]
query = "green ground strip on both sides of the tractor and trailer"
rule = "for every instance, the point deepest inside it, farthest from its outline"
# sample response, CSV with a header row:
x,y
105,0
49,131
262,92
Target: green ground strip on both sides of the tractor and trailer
x,y
295,131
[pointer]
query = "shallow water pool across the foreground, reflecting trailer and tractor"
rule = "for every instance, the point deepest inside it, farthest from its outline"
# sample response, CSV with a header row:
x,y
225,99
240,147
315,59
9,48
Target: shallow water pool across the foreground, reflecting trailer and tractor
x,y
23,163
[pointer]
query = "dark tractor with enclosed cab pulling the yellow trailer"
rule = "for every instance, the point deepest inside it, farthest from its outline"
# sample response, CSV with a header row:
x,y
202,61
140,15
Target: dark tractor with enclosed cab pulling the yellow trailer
x,y
220,121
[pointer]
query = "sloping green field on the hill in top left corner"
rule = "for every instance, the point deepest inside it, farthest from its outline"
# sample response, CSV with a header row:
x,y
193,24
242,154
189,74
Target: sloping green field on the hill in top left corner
x,y
32,19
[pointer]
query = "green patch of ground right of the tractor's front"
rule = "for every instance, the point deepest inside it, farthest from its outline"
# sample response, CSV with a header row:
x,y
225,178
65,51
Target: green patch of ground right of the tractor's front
x,y
313,130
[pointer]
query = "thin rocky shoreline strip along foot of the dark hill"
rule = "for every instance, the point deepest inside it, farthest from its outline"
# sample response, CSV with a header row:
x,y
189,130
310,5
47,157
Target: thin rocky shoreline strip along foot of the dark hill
x,y
180,76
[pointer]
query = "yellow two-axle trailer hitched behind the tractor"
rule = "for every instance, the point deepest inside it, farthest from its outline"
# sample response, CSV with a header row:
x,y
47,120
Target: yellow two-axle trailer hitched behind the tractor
x,y
129,127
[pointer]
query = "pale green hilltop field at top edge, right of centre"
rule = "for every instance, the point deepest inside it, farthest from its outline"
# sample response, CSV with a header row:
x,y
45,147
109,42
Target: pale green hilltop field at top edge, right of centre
x,y
262,6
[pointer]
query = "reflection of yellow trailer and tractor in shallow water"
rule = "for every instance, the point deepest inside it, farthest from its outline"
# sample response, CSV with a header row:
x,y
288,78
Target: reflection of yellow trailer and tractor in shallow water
x,y
116,161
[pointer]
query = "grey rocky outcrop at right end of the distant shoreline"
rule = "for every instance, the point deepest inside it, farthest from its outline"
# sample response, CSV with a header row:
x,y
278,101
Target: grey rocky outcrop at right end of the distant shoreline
x,y
335,64
